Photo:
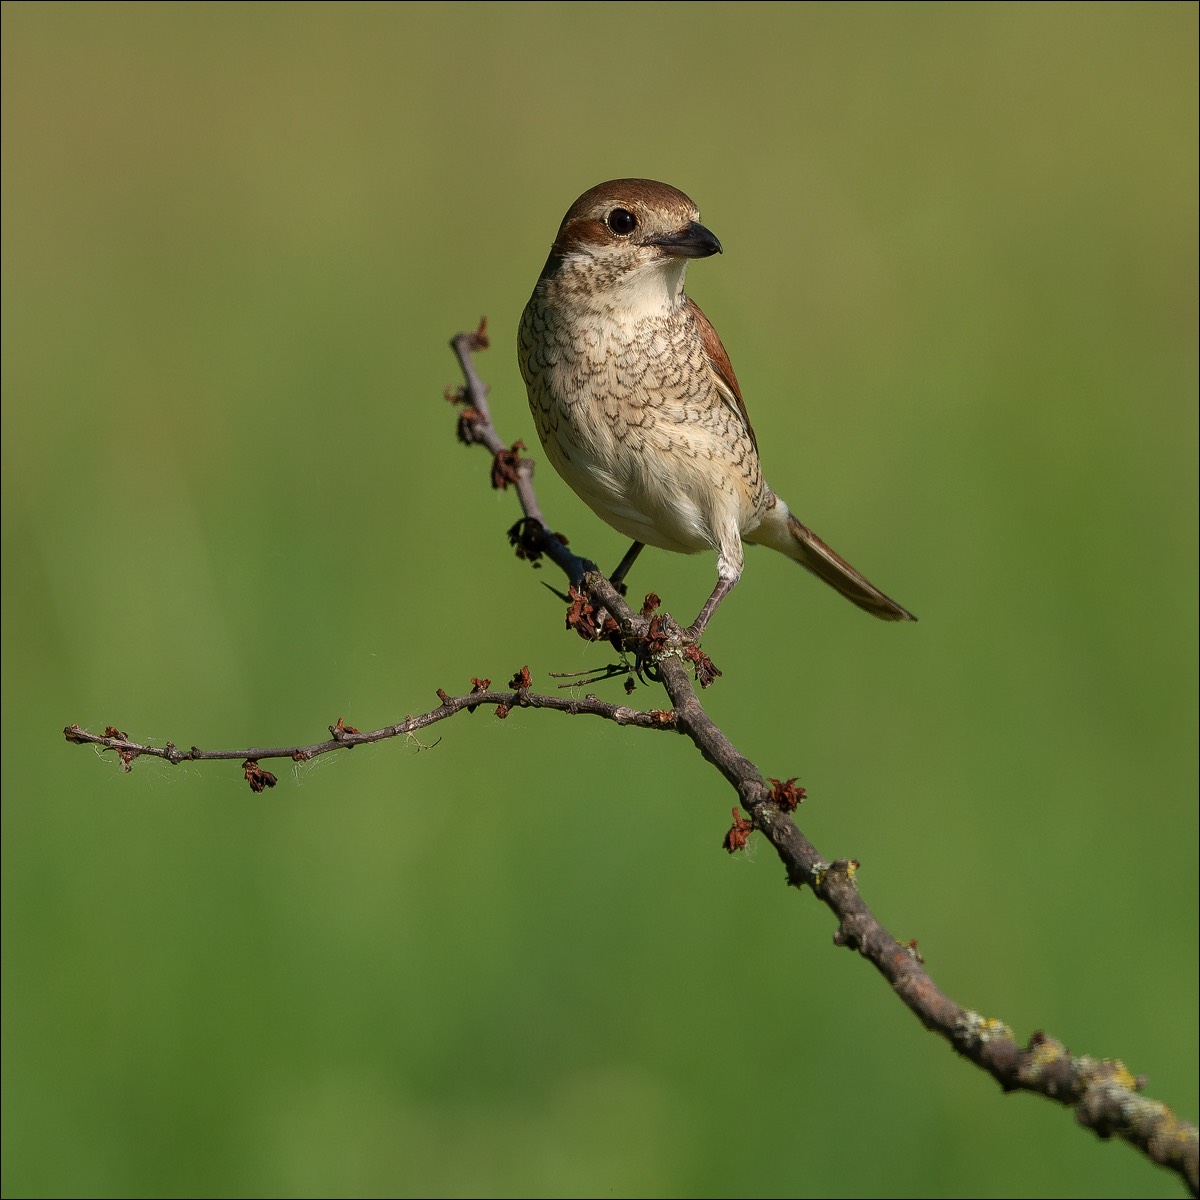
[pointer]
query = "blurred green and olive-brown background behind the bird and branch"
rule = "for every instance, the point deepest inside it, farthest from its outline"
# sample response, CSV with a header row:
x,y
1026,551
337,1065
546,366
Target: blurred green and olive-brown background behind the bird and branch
x,y
961,293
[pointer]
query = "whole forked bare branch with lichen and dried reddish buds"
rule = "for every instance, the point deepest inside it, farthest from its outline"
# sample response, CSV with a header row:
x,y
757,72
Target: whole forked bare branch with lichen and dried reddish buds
x,y
1105,1095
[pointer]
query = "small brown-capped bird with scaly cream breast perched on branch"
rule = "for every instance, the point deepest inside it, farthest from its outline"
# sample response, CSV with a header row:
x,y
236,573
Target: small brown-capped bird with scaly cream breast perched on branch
x,y
637,403
